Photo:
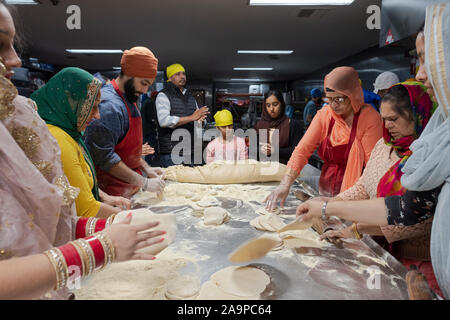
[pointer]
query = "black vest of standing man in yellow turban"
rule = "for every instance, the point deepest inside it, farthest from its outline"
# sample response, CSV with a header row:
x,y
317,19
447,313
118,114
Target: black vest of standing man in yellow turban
x,y
181,105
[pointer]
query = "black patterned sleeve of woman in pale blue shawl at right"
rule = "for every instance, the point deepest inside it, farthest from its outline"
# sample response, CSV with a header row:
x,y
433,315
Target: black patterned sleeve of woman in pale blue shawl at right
x,y
412,207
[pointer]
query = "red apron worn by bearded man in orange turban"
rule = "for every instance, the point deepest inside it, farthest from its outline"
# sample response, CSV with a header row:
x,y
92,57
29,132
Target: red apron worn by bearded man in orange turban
x,y
130,151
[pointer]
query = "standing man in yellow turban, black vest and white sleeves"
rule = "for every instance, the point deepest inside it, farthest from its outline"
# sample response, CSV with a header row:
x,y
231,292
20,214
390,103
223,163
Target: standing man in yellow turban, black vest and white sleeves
x,y
177,109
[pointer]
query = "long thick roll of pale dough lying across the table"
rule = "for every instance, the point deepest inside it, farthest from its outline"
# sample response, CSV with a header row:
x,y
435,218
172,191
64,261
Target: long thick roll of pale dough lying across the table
x,y
228,172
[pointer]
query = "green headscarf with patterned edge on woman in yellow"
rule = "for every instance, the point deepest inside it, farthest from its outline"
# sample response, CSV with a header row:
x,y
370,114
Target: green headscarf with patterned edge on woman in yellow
x,y
66,101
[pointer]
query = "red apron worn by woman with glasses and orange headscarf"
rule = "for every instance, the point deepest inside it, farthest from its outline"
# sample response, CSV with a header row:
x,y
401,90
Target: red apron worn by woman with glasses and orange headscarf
x,y
335,161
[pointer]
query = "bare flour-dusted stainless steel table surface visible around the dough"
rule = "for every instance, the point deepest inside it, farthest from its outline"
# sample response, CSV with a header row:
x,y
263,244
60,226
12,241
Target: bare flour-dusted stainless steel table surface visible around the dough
x,y
359,270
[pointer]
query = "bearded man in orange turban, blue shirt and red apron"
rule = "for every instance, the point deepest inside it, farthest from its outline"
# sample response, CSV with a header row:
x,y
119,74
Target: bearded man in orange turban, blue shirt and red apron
x,y
115,140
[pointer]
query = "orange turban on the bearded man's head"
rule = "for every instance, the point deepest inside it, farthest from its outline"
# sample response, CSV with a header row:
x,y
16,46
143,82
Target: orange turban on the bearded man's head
x,y
139,62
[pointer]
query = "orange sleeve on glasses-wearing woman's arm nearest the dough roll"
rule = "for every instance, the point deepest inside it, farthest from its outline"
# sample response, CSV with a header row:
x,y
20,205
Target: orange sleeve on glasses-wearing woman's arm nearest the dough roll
x,y
315,134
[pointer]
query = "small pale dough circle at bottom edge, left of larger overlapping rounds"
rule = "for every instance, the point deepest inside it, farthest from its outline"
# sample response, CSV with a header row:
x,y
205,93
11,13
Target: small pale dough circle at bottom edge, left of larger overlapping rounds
x,y
185,287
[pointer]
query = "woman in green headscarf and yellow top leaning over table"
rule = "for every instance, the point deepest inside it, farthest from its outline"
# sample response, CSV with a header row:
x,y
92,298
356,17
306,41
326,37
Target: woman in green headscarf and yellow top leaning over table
x,y
67,103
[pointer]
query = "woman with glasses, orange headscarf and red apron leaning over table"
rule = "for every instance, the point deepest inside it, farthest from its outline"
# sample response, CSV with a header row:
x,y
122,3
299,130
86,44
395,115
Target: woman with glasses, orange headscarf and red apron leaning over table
x,y
345,130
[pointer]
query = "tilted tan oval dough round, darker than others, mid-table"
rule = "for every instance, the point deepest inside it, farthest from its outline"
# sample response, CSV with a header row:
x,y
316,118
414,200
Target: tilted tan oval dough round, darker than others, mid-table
x,y
254,248
